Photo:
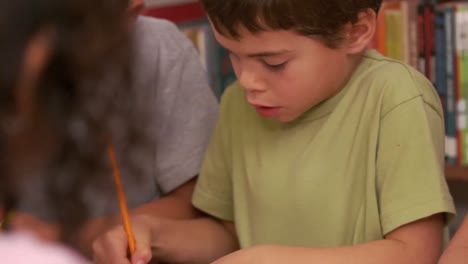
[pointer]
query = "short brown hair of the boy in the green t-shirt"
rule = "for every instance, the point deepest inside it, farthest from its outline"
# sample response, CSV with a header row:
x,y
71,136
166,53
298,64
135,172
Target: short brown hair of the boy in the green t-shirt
x,y
315,18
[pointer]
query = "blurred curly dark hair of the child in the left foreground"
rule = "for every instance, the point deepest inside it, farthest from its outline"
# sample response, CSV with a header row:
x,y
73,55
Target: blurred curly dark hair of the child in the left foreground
x,y
63,146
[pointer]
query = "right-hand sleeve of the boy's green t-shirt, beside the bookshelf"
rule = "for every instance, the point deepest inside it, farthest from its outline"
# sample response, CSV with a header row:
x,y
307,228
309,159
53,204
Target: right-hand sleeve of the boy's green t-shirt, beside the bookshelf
x,y
410,165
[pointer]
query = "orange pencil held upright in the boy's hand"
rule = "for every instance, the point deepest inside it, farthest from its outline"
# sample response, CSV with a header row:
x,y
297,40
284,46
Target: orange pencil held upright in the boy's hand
x,y
122,201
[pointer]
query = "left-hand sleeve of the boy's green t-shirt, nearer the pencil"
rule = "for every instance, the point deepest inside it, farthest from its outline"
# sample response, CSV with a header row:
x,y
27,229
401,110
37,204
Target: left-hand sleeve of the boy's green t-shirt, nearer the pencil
x,y
213,192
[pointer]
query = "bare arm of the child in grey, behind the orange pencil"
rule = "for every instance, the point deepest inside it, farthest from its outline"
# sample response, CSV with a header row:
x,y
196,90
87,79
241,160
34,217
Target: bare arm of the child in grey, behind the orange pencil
x,y
176,205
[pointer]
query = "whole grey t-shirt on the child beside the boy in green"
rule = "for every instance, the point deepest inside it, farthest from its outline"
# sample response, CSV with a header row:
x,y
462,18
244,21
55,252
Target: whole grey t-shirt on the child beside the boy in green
x,y
170,80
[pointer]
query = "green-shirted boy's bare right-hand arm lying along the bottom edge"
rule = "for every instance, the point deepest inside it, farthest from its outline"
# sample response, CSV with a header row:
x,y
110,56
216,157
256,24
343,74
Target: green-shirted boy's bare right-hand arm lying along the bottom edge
x,y
419,242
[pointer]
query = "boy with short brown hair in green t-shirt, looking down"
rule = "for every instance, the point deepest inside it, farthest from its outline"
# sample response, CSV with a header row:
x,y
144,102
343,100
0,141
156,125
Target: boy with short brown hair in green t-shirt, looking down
x,y
323,152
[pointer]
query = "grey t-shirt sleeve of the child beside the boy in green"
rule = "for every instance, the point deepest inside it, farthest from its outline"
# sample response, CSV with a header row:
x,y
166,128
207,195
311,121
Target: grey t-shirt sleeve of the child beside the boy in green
x,y
186,111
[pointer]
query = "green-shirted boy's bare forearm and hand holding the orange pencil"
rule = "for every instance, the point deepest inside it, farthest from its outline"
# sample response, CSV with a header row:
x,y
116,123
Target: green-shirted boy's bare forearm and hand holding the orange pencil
x,y
200,240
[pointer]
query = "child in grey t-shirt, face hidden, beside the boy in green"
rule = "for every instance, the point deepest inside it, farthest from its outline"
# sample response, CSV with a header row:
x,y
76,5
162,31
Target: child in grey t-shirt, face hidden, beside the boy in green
x,y
170,87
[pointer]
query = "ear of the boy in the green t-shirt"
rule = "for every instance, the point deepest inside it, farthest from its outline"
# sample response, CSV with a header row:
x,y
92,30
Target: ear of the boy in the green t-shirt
x,y
361,33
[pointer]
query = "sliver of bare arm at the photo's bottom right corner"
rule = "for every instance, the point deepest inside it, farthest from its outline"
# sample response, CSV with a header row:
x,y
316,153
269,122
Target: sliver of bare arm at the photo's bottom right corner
x,y
457,251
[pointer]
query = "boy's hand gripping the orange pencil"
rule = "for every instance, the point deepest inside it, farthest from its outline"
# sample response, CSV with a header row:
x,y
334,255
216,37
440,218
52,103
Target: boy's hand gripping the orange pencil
x,y
112,247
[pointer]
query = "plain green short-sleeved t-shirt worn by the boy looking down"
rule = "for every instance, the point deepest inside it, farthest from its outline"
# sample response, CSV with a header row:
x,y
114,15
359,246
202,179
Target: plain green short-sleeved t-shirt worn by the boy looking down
x,y
349,170
